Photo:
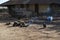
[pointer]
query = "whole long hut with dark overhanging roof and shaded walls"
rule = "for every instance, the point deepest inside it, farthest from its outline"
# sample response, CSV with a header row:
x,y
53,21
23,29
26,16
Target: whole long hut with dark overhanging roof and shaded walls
x,y
33,7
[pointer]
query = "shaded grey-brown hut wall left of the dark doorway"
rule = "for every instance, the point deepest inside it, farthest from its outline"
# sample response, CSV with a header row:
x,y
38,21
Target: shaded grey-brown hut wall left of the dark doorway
x,y
22,10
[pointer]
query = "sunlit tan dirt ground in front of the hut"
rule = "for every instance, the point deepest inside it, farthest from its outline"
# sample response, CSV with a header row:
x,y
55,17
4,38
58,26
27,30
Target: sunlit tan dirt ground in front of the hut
x,y
32,32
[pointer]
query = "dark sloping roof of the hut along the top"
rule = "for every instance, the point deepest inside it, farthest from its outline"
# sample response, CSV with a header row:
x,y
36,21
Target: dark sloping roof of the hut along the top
x,y
31,2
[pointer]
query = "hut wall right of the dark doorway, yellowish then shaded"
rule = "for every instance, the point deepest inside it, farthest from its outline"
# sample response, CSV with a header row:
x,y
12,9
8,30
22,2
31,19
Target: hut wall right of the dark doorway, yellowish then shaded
x,y
53,10
